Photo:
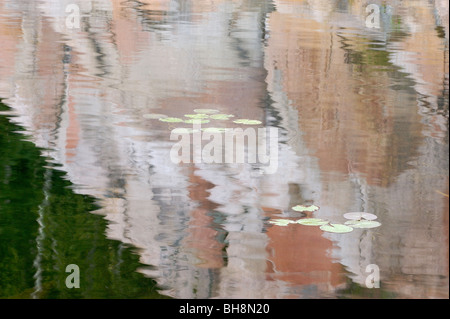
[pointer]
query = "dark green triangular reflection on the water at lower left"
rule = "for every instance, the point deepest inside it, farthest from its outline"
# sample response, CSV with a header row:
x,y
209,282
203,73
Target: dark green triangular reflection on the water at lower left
x,y
45,226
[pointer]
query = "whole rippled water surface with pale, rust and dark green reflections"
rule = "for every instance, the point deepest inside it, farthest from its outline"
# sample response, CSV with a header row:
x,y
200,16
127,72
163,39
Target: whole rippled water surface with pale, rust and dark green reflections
x,y
362,117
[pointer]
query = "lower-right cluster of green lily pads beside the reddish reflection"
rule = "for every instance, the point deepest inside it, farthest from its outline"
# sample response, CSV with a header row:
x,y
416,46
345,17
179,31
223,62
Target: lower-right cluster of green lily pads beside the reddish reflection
x,y
355,220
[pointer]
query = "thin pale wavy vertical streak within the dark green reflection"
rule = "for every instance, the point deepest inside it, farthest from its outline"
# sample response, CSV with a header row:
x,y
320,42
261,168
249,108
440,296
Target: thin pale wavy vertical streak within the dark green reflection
x,y
41,236
